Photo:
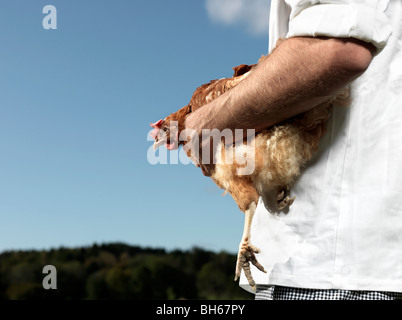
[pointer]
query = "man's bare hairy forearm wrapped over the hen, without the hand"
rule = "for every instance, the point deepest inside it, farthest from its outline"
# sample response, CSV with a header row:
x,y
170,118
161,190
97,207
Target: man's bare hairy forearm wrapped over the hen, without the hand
x,y
300,74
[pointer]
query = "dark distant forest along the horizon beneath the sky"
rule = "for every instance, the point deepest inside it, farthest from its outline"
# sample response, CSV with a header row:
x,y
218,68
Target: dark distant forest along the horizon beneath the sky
x,y
119,271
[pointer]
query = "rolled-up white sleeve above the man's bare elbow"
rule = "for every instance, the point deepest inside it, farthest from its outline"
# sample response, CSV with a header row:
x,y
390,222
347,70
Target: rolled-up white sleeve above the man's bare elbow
x,y
364,20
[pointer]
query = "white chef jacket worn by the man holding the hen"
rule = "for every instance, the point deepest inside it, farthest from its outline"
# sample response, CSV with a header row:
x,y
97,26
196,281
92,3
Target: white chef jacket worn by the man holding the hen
x,y
344,230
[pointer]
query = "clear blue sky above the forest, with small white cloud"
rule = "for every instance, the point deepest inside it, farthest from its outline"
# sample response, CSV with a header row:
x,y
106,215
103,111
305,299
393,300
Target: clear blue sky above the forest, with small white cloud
x,y
75,108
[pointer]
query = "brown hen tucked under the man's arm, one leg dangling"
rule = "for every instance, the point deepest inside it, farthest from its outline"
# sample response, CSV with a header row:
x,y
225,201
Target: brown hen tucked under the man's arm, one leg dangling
x,y
278,155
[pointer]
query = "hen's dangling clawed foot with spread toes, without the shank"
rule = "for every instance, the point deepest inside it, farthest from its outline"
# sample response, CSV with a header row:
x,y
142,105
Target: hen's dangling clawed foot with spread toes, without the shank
x,y
244,257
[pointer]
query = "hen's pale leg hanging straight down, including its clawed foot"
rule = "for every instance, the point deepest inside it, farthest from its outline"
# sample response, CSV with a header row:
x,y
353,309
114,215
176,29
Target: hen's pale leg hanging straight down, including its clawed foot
x,y
246,250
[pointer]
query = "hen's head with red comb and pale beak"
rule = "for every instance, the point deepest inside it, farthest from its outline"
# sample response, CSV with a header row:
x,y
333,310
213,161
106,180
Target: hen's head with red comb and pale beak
x,y
165,134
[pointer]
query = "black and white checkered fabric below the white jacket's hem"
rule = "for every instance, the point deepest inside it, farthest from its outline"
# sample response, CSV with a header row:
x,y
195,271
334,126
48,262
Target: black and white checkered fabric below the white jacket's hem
x,y
288,293
